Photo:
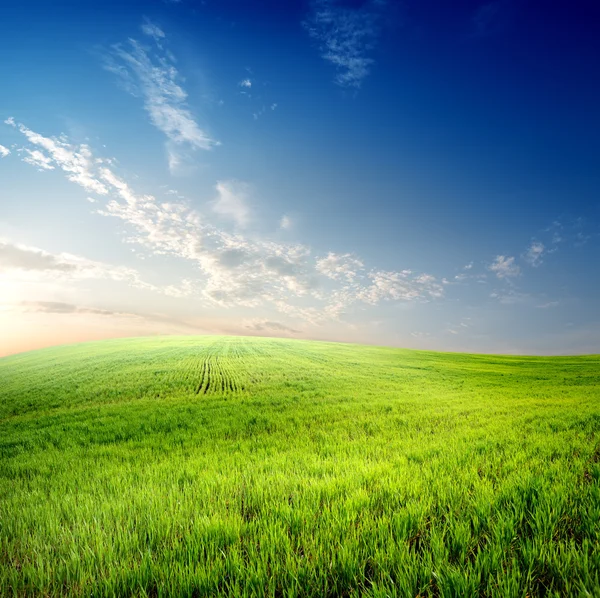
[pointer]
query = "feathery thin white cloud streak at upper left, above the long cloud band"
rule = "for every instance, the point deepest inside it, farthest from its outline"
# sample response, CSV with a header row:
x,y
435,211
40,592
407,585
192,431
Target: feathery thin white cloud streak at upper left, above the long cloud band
x,y
150,73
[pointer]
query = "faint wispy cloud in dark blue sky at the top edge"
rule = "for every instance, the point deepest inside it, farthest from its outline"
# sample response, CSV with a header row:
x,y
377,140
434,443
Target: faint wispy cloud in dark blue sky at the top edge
x,y
346,35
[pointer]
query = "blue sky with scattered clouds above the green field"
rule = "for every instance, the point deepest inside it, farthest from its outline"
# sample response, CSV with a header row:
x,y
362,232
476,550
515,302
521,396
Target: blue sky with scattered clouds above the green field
x,y
414,174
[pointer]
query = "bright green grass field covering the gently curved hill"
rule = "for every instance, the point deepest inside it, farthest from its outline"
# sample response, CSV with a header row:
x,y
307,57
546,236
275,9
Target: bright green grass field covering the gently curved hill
x,y
193,466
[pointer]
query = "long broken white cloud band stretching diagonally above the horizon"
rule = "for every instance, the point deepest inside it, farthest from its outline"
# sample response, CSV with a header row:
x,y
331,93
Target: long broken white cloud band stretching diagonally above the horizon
x,y
232,269
